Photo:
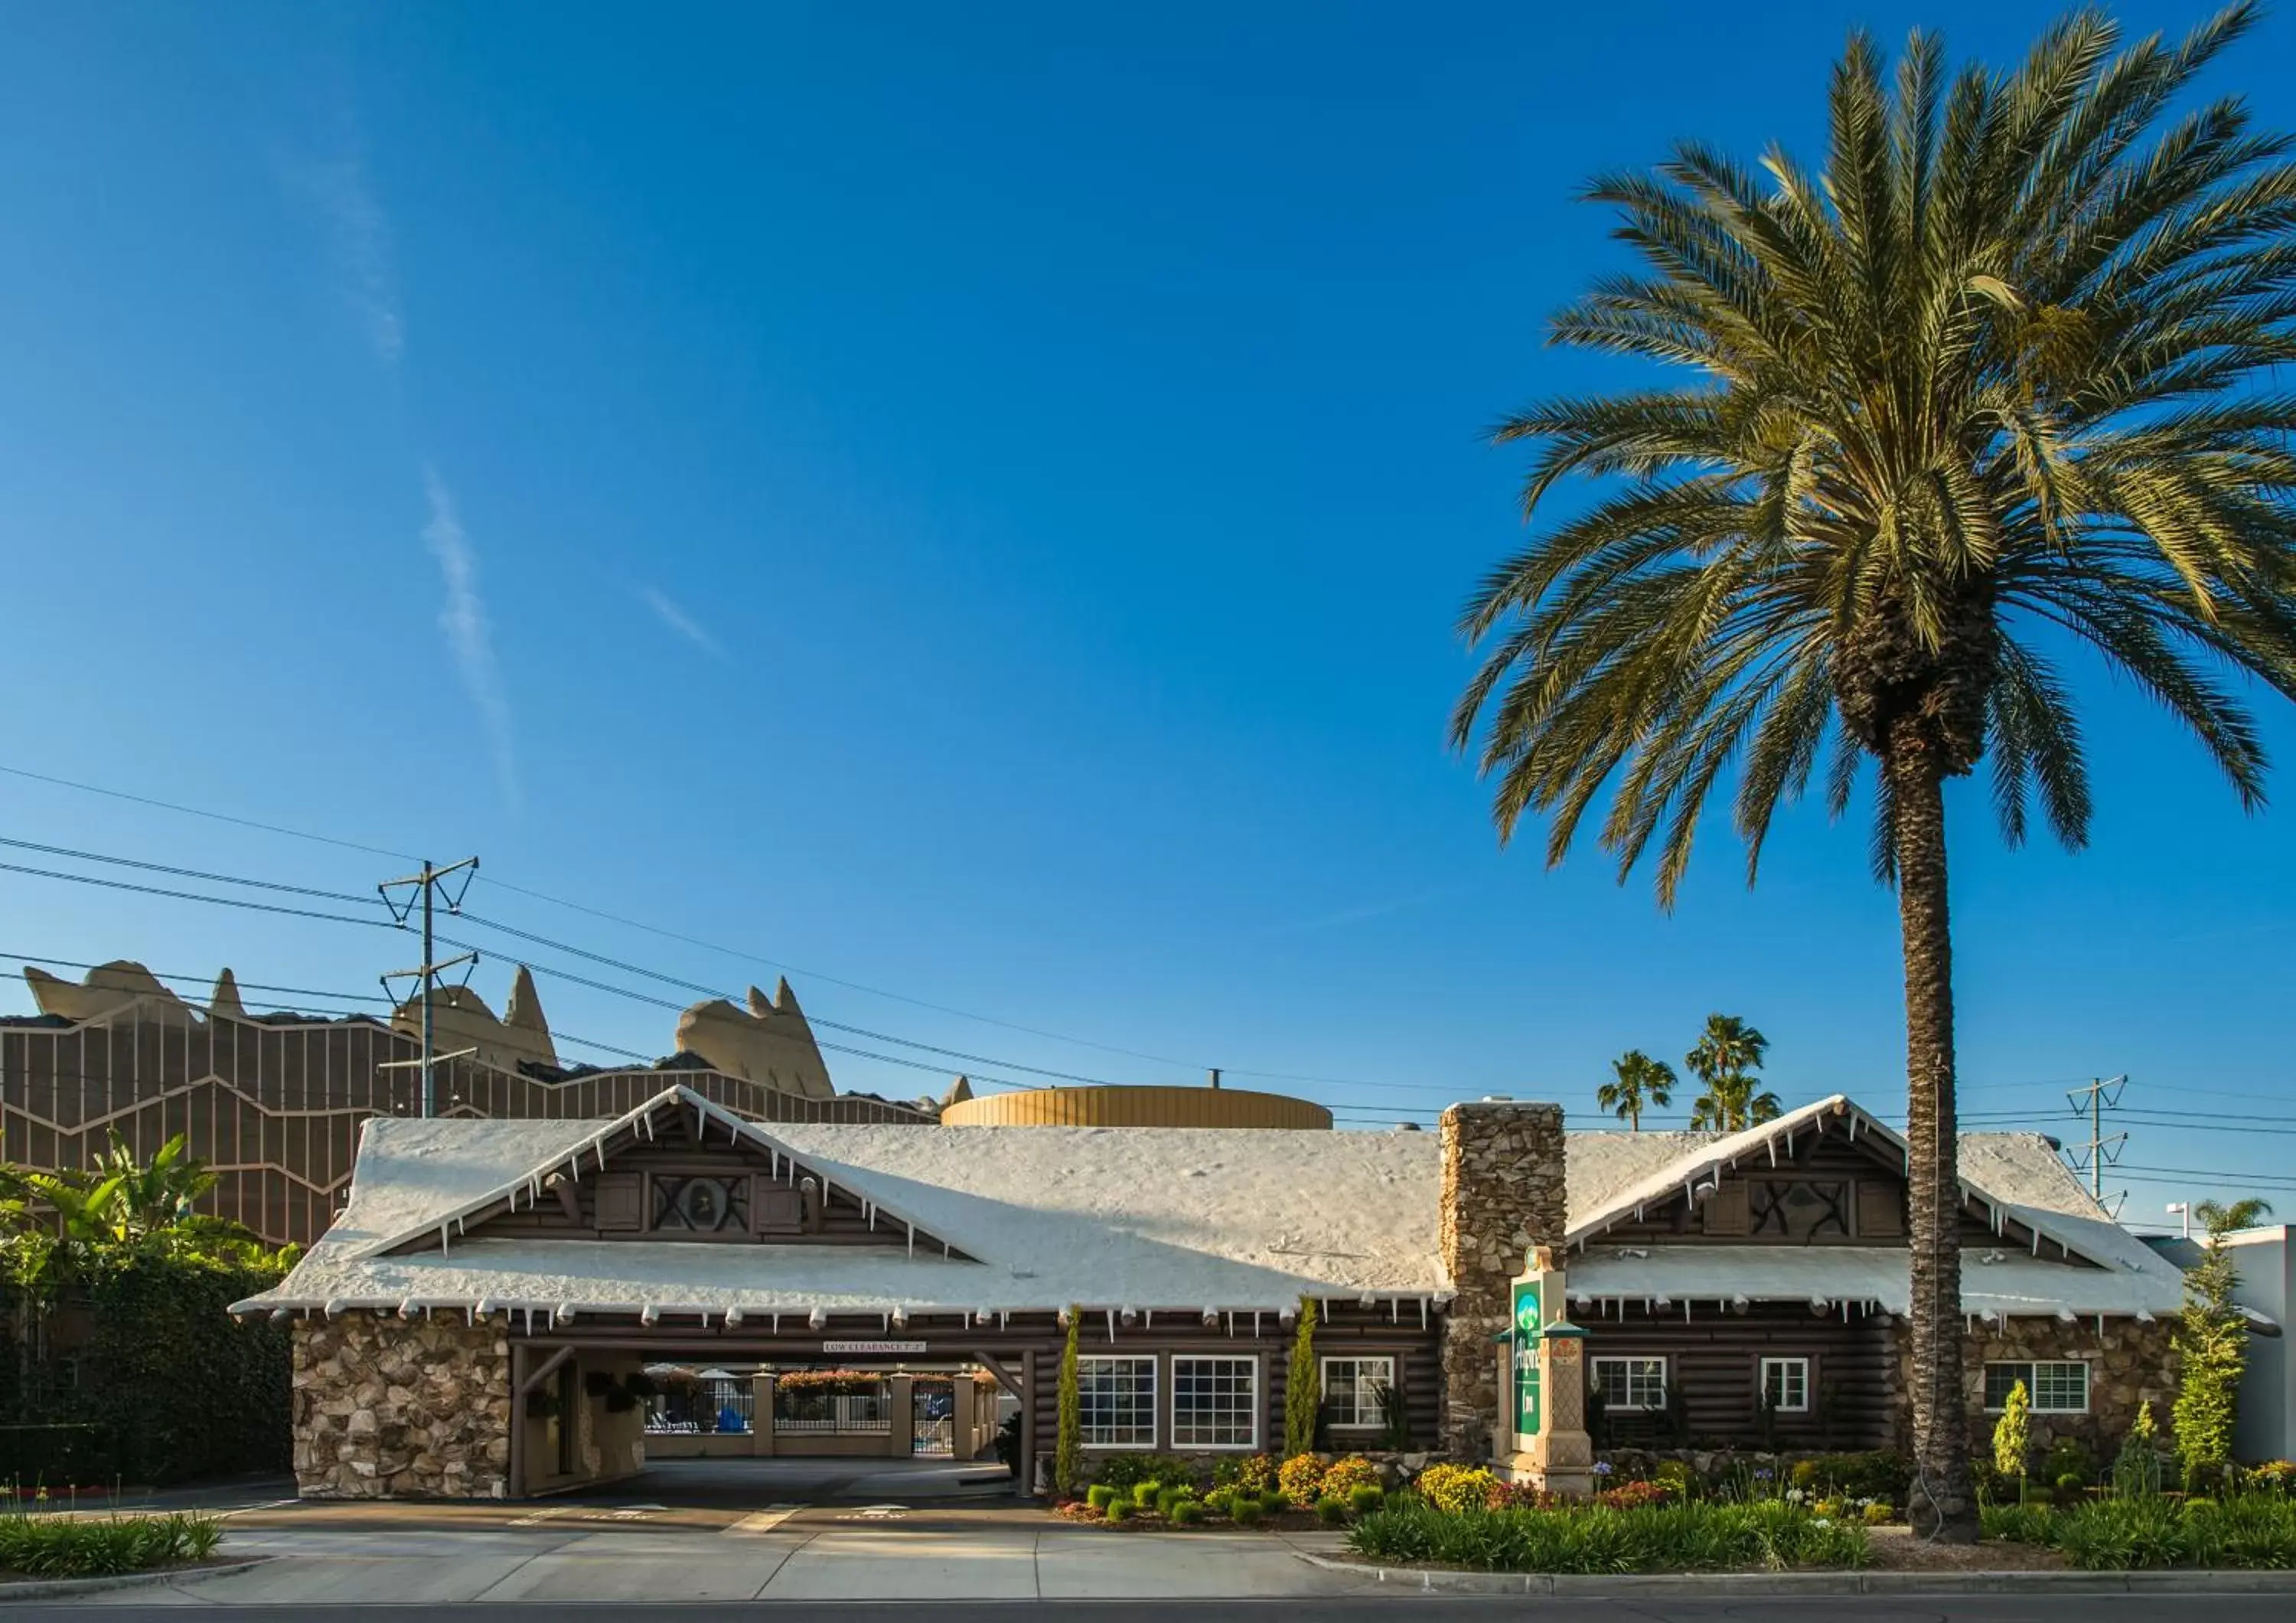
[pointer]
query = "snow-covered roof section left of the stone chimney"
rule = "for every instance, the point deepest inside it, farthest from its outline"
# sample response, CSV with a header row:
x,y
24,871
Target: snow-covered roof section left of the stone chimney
x,y
1122,1218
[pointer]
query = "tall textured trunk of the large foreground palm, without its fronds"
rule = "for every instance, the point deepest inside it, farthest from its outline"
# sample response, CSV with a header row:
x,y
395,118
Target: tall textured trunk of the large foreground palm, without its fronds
x,y
1941,1502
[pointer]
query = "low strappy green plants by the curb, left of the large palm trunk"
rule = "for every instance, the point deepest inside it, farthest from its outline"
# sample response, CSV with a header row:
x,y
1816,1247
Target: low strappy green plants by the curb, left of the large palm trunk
x,y
1604,1539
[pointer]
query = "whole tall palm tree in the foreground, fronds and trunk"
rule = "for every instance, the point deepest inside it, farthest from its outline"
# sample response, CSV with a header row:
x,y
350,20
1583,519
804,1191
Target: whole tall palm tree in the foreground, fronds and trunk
x,y
1989,389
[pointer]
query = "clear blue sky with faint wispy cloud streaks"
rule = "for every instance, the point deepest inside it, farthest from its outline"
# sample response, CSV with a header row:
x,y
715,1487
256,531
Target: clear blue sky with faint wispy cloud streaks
x,y
965,504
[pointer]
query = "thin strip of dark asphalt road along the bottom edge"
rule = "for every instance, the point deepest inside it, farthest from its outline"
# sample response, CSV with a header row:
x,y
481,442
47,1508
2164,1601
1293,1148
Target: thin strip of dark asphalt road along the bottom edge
x,y
1310,1610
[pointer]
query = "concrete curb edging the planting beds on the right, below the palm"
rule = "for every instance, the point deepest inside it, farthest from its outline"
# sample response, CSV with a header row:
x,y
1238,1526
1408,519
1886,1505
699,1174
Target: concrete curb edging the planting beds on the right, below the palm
x,y
1790,1585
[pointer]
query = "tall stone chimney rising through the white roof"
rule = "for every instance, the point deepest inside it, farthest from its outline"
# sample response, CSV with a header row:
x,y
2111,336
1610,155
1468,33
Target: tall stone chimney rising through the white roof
x,y
1503,1193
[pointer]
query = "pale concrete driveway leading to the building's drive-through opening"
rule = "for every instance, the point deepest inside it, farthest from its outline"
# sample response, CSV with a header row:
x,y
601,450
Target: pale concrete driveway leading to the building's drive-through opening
x,y
580,1553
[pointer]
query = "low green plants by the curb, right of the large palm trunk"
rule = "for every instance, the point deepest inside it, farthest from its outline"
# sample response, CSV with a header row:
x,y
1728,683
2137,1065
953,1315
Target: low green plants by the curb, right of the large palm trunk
x,y
2155,1532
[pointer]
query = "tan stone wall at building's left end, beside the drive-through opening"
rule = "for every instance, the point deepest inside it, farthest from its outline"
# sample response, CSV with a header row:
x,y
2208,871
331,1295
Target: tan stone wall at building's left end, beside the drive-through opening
x,y
391,1408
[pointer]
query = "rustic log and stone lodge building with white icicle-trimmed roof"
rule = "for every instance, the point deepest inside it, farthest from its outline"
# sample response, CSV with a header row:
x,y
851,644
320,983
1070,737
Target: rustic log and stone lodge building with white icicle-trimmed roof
x,y
474,1321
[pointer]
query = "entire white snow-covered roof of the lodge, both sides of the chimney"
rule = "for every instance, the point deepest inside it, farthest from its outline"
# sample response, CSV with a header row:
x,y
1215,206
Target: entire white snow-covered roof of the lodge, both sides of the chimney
x,y
1147,1218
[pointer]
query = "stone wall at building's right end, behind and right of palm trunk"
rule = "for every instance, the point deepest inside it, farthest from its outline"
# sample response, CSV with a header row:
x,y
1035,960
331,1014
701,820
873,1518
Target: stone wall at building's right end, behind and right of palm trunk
x,y
2130,1365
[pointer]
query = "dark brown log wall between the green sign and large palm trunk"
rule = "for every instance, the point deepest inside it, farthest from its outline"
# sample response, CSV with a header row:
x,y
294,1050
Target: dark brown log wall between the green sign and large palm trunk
x,y
1716,1365
